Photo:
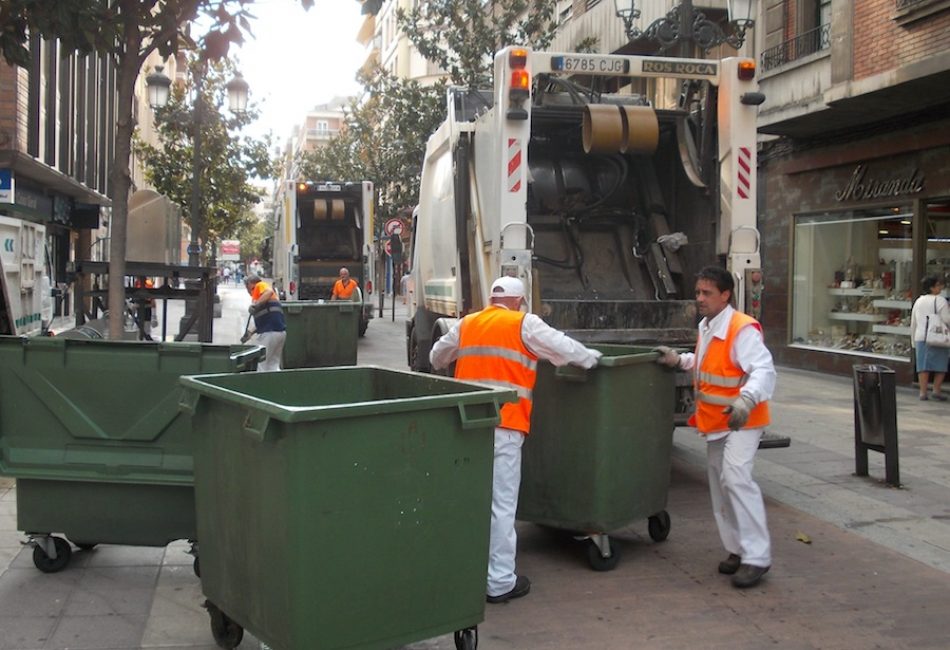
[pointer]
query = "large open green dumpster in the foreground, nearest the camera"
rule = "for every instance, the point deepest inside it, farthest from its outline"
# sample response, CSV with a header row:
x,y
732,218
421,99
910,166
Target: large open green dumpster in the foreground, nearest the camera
x,y
343,507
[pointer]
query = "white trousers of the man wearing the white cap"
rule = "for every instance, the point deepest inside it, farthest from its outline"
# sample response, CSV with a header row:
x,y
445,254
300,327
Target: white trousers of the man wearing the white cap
x,y
503,541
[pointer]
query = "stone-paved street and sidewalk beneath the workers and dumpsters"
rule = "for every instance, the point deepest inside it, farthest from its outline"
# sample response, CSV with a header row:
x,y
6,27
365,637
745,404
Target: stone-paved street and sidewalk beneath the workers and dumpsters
x,y
876,573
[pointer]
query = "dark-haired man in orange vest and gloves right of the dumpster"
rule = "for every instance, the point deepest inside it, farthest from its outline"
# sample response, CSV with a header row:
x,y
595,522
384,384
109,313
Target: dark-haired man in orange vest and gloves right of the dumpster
x,y
734,379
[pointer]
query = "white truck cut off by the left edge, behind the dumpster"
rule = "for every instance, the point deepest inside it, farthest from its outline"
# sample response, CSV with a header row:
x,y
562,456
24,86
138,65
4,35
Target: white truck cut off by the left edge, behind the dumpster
x,y
26,303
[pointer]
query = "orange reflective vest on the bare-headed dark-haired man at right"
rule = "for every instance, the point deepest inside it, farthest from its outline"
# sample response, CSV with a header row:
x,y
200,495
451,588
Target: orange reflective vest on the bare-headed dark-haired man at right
x,y
718,383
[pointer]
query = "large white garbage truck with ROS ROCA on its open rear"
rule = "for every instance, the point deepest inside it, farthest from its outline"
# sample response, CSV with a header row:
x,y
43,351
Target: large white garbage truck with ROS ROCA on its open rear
x,y
568,175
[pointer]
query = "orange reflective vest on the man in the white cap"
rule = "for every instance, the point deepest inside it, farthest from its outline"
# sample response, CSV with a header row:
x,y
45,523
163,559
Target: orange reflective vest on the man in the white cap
x,y
491,351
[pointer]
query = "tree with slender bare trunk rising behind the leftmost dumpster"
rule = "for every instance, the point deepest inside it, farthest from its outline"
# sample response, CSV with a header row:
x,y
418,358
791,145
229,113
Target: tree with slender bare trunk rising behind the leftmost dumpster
x,y
127,31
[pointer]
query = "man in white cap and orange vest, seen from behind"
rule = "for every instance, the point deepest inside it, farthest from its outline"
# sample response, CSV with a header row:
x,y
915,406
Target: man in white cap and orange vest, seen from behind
x,y
500,345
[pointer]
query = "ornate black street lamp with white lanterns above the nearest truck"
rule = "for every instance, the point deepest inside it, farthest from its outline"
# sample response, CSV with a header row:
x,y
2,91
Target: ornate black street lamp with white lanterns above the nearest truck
x,y
683,23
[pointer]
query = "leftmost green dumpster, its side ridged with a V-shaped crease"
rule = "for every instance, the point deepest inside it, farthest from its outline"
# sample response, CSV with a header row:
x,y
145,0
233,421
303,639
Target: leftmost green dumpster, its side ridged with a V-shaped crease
x,y
92,432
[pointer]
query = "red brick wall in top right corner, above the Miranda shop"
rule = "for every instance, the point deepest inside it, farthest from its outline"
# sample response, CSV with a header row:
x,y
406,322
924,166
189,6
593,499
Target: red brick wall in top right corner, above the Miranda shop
x,y
881,44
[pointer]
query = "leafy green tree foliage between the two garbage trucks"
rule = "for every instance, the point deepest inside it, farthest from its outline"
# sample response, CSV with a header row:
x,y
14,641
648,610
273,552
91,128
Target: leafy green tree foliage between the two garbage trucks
x,y
383,140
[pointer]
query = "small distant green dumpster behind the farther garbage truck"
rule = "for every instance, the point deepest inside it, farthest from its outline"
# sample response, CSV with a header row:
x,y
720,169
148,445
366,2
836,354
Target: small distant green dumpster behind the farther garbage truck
x,y
321,334
